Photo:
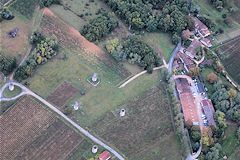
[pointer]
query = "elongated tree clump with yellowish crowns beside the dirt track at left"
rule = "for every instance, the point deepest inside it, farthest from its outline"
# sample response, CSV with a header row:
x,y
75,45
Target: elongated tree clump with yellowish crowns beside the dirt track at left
x,y
45,49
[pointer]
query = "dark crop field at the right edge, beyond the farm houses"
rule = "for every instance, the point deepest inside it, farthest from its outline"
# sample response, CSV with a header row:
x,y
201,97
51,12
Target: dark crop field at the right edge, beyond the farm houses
x,y
230,55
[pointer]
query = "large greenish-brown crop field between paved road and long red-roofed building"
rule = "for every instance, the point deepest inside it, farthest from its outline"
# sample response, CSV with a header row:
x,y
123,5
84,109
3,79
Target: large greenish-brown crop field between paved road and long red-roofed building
x,y
142,133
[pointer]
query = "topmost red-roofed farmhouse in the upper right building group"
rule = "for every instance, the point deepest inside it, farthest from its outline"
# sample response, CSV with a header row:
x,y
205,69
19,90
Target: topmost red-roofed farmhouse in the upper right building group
x,y
201,28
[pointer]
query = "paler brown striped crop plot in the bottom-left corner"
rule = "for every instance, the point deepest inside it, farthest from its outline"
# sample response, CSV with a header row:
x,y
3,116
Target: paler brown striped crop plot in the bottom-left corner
x,y
21,124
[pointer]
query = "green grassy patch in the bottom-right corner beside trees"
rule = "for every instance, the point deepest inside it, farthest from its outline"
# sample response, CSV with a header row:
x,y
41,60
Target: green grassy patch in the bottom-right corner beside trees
x,y
230,145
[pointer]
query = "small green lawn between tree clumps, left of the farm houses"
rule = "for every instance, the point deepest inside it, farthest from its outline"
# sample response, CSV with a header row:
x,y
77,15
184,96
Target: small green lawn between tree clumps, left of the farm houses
x,y
161,42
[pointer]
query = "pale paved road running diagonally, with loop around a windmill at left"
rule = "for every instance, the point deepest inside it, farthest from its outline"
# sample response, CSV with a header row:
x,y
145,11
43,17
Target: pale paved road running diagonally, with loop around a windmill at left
x,y
82,130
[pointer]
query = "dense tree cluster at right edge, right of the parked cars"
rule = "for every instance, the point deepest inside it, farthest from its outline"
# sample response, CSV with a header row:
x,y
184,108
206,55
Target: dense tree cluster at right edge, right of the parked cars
x,y
226,100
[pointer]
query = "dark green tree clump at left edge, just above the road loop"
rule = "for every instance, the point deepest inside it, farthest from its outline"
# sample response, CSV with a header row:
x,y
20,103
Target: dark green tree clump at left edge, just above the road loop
x,y
7,64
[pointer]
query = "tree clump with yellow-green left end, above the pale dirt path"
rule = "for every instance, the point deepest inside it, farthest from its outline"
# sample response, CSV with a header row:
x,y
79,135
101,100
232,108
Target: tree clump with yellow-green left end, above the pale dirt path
x,y
134,51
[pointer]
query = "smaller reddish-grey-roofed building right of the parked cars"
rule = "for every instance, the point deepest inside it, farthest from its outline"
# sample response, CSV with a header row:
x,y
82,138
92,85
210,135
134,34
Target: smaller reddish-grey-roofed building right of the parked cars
x,y
208,110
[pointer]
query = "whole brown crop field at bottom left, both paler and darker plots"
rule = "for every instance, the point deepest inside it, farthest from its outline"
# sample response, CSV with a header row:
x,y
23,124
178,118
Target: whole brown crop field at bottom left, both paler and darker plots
x,y
28,131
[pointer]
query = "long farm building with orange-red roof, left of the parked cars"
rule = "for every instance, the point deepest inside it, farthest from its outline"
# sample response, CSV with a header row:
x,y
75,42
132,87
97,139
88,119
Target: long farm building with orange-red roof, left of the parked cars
x,y
187,102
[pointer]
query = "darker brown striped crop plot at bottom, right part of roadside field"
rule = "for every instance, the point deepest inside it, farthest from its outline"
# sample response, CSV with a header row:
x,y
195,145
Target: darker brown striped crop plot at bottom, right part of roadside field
x,y
56,142
